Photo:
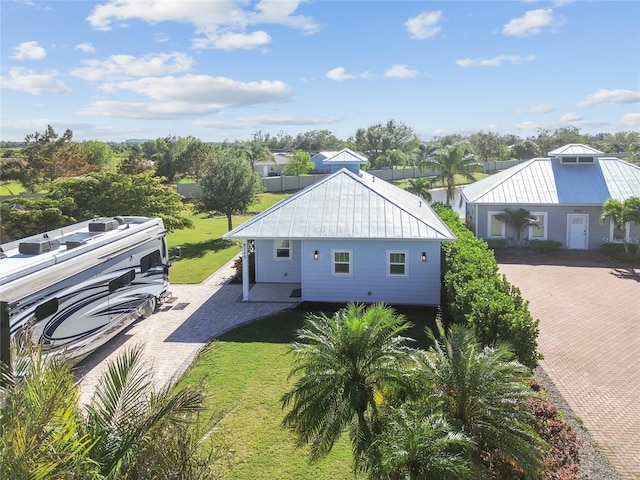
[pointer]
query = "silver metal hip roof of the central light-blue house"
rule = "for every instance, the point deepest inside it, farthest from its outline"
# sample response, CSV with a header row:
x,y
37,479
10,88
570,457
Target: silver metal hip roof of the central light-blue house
x,y
347,205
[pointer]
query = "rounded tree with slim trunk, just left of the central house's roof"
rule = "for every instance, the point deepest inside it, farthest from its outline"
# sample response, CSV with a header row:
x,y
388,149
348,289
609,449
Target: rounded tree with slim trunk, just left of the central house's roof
x,y
228,187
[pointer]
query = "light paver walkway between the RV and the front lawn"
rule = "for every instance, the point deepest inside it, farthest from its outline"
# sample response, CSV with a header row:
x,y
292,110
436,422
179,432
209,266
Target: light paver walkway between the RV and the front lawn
x,y
173,336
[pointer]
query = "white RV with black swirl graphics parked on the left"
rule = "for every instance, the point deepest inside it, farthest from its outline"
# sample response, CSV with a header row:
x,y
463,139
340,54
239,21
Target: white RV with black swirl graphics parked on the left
x,y
76,287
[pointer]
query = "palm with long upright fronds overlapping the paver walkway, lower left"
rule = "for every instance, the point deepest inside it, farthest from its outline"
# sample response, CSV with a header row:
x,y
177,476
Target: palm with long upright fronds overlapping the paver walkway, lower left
x,y
126,416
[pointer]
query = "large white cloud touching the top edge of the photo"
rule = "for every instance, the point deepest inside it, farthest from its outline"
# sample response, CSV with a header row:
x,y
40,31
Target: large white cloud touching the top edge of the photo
x,y
217,23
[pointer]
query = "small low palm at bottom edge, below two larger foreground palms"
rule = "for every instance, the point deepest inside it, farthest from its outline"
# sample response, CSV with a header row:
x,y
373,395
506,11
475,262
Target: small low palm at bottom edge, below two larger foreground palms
x,y
416,445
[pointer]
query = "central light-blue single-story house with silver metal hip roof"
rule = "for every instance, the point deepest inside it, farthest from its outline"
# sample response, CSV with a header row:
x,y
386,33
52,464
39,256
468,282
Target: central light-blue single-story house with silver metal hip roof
x,y
348,237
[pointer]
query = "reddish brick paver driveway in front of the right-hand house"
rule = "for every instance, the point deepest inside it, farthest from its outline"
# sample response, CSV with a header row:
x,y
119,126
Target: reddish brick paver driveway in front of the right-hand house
x,y
589,313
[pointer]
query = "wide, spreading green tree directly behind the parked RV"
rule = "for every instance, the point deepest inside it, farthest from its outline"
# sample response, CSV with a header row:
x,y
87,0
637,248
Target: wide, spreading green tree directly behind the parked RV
x,y
110,194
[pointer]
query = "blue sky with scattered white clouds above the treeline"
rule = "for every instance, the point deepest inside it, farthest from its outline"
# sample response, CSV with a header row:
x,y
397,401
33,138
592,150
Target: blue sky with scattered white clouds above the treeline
x,y
119,69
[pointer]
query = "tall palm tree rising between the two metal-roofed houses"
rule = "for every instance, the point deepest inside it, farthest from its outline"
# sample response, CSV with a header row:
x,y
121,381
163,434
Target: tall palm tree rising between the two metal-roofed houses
x,y
452,160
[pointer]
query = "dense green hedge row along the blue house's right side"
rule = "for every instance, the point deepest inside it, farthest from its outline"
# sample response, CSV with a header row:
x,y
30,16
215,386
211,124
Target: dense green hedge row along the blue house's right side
x,y
477,294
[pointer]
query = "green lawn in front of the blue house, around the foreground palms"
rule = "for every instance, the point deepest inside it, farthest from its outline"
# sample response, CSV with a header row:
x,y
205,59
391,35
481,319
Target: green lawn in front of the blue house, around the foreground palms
x,y
246,373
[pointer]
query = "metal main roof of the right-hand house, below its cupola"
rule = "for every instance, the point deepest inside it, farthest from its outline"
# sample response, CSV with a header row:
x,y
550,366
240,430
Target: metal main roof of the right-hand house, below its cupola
x,y
548,181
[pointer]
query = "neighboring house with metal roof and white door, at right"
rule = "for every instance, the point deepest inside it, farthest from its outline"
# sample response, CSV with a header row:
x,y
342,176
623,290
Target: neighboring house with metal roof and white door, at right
x,y
565,191
